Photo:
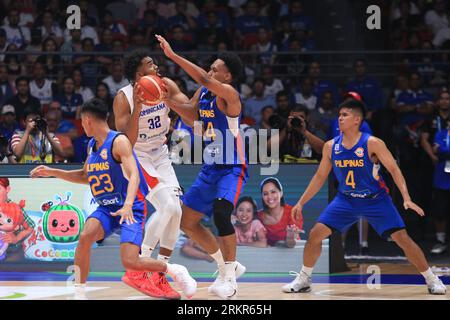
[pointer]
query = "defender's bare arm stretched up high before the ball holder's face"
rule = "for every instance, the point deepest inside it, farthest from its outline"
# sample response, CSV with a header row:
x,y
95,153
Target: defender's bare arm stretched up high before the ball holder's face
x,y
223,90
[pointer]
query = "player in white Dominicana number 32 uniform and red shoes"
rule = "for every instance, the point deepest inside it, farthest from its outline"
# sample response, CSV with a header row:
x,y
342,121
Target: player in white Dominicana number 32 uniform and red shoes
x,y
146,126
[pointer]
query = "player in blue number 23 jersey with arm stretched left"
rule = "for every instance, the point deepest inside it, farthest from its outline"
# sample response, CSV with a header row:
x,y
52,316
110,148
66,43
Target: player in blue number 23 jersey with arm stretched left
x,y
119,188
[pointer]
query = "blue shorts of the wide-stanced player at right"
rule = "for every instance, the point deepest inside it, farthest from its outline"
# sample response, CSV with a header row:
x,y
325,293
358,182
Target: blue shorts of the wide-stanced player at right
x,y
380,212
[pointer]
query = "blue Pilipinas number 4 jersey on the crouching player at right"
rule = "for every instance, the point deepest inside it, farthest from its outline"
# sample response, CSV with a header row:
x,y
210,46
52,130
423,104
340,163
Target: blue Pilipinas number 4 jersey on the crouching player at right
x,y
357,175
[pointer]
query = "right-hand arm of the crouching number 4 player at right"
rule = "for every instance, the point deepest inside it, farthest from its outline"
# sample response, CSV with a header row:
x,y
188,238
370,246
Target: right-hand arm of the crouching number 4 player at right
x,y
378,147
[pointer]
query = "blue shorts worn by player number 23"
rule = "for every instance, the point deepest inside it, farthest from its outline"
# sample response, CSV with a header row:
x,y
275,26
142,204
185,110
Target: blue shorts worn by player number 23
x,y
133,233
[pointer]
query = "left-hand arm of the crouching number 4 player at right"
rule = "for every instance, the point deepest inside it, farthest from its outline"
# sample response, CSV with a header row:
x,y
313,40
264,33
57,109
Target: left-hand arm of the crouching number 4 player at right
x,y
317,181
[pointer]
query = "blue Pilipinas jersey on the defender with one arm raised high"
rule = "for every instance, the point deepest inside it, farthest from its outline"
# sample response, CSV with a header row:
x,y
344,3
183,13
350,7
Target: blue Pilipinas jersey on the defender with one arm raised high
x,y
222,136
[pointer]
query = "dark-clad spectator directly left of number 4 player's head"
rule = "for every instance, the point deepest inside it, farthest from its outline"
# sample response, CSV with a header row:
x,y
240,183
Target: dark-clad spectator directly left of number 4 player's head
x,y
320,119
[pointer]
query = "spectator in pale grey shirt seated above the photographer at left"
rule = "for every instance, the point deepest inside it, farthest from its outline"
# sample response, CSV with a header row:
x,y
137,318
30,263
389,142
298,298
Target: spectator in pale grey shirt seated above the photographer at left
x,y
42,87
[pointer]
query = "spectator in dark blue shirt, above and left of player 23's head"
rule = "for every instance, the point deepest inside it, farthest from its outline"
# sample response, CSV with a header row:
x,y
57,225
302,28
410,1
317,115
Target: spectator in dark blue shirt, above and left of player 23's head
x,y
70,101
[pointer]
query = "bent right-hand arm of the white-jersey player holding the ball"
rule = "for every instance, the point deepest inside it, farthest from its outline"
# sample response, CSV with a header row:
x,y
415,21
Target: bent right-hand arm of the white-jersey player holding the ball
x,y
180,103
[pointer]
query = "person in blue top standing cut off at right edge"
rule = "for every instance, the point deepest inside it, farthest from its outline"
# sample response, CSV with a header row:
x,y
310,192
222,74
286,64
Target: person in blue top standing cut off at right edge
x,y
441,192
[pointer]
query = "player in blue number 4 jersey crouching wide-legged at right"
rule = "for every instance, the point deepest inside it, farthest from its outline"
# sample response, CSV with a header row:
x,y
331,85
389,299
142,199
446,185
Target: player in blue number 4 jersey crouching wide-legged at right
x,y
355,158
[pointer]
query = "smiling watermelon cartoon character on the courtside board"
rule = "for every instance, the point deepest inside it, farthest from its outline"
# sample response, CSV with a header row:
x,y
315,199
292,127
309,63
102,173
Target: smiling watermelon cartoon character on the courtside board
x,y
62,222
